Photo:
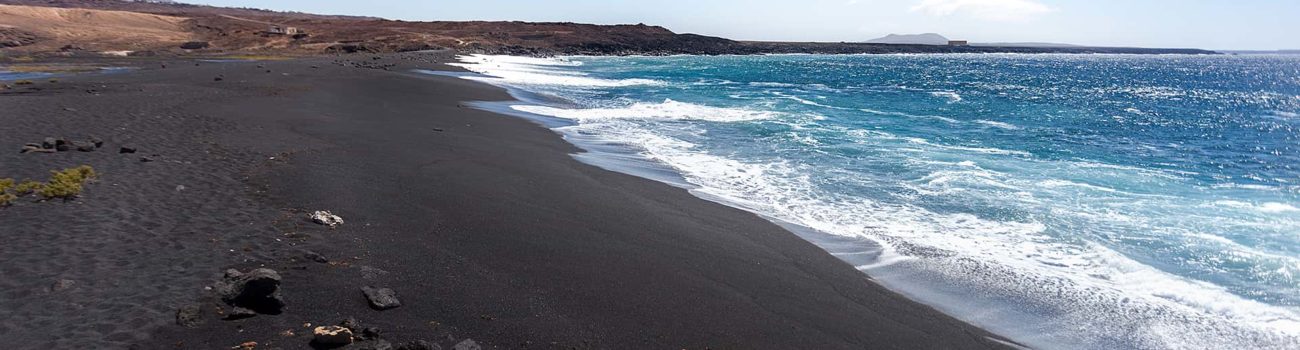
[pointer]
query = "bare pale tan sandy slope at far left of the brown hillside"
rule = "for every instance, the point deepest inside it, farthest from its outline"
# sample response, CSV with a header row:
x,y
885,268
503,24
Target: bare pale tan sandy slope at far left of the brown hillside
x,y
94,29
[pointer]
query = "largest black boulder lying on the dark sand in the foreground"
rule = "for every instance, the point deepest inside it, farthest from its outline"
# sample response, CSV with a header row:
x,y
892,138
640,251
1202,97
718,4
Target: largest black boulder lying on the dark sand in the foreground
x,y
257,291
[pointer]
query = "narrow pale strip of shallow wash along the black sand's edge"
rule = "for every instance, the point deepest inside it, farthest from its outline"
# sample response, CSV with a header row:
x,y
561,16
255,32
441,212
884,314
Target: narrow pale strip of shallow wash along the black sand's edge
x,y
872,260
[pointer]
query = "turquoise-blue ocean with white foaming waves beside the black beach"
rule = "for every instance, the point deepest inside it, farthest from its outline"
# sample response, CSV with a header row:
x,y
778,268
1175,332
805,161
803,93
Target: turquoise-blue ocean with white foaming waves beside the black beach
x,y
1067,202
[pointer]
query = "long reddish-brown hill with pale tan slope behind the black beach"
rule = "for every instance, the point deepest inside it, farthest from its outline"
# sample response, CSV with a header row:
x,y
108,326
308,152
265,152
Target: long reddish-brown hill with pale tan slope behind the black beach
x,y
250,31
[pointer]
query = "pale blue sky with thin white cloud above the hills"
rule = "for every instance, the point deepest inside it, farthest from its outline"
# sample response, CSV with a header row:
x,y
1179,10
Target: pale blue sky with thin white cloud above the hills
x,y
1202,24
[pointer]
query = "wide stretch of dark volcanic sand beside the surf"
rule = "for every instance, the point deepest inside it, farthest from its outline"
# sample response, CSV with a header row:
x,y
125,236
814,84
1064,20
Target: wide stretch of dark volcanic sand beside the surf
x,y
487,230
